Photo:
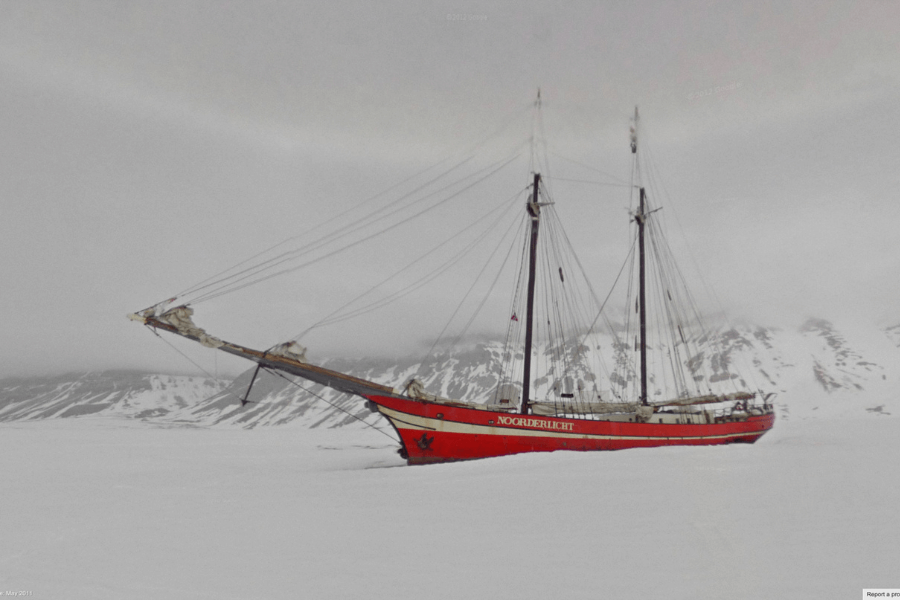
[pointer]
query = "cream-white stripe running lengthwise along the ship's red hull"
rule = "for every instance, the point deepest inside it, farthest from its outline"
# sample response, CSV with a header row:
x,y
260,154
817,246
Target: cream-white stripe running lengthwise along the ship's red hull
x,y
404,420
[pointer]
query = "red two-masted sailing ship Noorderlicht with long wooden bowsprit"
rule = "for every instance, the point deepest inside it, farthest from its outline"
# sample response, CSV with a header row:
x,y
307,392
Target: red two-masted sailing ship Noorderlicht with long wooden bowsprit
x,y
513,420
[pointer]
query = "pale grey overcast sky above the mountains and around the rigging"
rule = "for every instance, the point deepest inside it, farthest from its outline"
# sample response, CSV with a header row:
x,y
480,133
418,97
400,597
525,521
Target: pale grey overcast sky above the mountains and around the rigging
x,y
146,145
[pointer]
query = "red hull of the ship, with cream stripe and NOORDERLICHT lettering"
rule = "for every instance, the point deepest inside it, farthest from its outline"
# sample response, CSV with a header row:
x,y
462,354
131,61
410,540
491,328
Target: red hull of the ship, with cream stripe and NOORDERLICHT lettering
x,y
432,432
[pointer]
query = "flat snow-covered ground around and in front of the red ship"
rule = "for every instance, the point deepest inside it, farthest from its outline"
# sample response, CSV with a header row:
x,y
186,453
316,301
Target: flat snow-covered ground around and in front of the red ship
x,y
100,507
